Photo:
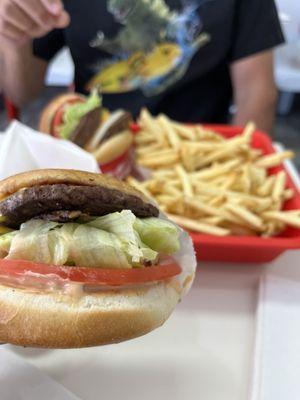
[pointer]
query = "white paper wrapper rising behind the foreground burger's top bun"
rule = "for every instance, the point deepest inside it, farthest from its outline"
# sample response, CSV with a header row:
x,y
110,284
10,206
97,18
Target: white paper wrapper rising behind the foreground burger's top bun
x,y
23,149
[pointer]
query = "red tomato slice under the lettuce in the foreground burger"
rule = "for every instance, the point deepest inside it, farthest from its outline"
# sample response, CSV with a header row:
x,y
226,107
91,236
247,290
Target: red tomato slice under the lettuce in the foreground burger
x,y
92,276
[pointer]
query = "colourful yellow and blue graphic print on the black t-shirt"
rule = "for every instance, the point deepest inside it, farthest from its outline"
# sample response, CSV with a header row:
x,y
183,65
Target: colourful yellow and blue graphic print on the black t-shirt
x,y
153,48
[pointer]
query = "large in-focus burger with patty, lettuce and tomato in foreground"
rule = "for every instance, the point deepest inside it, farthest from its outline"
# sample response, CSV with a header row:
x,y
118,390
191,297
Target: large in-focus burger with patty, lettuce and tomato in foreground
x,y
85,260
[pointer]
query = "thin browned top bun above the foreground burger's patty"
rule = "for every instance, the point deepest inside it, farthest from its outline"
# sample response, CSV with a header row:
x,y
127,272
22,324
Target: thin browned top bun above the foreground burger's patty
x,y
64,176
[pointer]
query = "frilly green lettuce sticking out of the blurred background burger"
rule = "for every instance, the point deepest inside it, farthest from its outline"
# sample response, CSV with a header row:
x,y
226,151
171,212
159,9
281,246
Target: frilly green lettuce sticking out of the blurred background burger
x,y
74,113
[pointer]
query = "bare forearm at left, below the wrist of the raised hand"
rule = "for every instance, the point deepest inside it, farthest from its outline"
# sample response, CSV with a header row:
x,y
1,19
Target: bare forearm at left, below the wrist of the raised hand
x,y
22,74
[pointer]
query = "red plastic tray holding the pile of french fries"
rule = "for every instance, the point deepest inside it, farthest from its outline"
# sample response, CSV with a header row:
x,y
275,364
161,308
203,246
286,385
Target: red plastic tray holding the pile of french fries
x,y
246,249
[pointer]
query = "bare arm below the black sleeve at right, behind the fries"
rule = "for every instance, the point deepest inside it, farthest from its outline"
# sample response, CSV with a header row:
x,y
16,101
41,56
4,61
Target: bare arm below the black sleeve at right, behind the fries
x,y
255,93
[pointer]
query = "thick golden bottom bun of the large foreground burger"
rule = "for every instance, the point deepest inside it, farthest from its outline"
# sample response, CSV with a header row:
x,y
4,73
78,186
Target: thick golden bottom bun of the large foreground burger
x,y
54,320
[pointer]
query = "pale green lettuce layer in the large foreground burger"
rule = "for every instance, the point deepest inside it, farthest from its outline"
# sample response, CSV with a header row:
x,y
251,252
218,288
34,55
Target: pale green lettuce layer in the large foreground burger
x,y
117,240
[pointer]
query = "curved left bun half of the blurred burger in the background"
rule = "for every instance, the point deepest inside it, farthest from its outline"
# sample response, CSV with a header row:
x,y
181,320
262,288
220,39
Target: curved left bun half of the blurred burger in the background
x,y
50,110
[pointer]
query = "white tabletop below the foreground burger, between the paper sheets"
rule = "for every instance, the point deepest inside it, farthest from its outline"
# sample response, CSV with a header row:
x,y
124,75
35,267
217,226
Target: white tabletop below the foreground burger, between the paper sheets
x,y
205,349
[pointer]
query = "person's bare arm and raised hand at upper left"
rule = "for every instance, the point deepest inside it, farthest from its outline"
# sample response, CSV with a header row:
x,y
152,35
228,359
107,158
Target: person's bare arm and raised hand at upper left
x,y
22,74
